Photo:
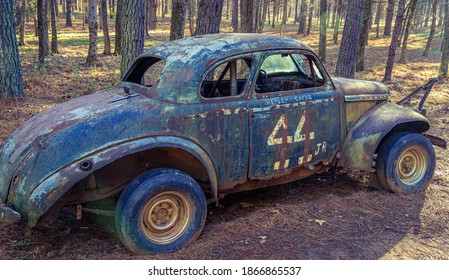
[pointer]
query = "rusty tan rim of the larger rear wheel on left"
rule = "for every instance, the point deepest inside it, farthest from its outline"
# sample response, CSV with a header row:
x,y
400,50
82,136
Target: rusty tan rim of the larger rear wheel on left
x,y
165,217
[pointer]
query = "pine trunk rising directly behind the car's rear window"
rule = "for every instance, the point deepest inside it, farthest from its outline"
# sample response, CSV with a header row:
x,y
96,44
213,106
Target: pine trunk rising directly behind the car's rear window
x,y
133,32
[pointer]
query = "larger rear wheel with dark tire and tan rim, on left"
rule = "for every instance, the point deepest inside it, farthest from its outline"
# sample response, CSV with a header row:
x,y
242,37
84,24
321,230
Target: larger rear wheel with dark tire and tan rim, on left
x,y
160,211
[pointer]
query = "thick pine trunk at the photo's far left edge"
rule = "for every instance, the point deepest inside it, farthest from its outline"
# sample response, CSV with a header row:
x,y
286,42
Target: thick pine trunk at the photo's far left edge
x,y
11,81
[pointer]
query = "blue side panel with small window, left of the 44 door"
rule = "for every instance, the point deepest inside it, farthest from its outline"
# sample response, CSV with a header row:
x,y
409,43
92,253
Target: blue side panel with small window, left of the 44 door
x,y
224,129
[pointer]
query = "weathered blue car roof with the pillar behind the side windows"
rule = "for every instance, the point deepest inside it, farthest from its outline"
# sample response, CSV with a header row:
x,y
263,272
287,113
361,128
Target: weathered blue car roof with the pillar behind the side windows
x,y
187,59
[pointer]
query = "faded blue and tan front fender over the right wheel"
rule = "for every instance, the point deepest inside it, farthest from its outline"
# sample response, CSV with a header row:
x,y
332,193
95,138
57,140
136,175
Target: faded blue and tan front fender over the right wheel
x,y
366,135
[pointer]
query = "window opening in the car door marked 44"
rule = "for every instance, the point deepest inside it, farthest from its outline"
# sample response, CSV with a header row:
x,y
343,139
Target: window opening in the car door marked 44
x,y
283,72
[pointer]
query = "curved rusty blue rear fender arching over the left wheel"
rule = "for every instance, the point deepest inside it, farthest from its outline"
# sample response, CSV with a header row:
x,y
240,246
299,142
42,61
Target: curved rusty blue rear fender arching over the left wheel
x,y
48,192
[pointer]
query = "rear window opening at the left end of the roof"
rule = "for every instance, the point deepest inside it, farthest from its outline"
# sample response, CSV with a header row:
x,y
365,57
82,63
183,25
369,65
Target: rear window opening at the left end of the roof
x,y
146,72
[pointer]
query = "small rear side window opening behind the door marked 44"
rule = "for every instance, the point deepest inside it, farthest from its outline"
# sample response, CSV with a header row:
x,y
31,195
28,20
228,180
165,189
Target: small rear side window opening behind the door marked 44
x,y
227,79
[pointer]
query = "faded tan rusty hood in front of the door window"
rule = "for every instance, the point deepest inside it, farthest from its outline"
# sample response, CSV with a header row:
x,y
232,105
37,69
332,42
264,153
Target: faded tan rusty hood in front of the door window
x,y
354,88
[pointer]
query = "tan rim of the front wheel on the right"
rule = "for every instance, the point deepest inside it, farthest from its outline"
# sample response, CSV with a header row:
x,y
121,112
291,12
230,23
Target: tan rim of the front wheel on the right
x,y
412,165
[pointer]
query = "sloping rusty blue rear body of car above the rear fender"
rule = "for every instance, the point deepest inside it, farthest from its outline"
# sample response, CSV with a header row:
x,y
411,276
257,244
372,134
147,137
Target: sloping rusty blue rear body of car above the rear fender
x,y
55,137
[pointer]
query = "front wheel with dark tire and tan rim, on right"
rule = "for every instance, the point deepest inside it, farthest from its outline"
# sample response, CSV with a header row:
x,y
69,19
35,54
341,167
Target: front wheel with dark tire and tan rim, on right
x,y
405,163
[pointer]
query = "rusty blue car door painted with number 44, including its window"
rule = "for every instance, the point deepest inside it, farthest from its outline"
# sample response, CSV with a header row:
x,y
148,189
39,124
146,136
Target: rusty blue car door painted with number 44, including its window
x,y
293,115
